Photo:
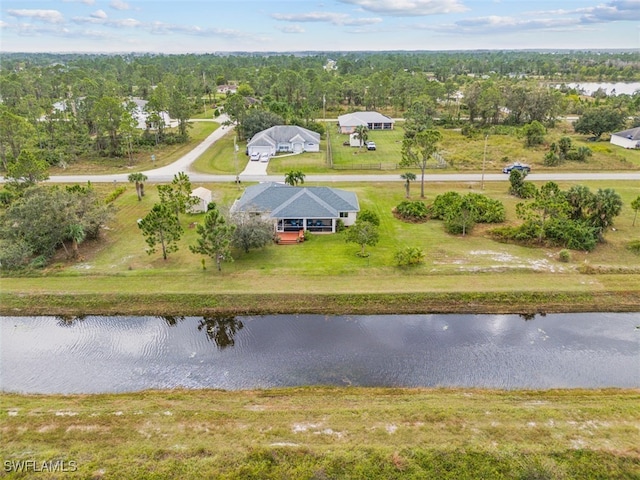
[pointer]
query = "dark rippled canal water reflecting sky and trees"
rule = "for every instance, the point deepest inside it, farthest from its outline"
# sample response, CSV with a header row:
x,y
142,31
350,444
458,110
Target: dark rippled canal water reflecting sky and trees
x,y
97,354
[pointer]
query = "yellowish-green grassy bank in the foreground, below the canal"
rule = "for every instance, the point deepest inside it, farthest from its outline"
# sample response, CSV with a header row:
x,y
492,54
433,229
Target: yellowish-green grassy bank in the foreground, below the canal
x,y
322,433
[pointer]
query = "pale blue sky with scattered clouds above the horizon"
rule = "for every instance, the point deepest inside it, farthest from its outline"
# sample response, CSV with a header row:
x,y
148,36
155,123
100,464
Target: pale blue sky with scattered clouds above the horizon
x,y
187,26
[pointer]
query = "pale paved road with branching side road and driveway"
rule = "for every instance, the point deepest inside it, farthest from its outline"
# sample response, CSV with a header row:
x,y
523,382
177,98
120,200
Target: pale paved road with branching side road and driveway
x,y
256,172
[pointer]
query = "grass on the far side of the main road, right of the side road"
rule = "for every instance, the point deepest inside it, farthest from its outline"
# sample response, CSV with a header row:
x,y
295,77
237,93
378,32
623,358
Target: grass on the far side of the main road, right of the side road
x,y
461,153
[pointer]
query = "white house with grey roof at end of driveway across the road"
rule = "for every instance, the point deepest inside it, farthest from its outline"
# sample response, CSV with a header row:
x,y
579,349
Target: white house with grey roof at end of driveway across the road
x,y
284,138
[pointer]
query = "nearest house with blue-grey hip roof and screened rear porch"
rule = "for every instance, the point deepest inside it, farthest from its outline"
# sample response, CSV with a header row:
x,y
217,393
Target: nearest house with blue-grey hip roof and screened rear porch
x,y
316,209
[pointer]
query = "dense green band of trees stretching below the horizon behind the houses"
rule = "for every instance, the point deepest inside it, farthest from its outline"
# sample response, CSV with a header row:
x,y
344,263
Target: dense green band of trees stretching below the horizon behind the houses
x,y
68,107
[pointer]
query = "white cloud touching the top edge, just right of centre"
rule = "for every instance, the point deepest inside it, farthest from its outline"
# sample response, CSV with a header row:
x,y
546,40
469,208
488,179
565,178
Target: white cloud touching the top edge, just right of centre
x,y
409,8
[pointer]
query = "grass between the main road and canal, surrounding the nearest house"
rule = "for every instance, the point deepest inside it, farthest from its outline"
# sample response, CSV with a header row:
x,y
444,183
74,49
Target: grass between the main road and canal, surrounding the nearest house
x,y
325,265
